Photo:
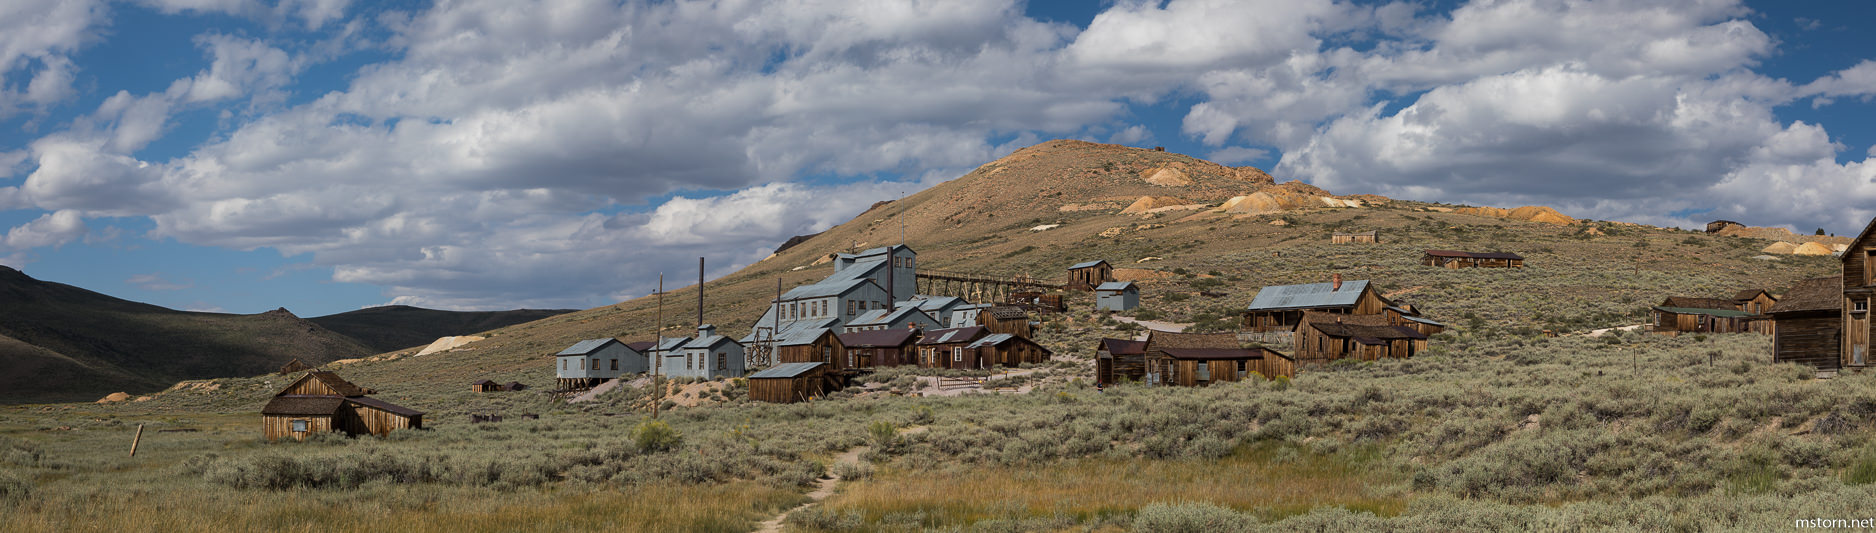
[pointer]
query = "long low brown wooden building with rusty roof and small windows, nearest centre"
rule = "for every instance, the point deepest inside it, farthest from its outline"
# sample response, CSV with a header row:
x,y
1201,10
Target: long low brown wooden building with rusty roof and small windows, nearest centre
x,y
1205,359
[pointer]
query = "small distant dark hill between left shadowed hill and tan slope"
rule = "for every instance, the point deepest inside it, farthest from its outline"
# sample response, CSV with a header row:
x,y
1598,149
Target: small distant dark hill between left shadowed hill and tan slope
x,y
399,327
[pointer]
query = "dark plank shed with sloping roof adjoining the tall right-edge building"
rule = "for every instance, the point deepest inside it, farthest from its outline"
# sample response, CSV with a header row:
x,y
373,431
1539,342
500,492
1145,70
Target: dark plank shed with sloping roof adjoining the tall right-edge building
x,y
1809,324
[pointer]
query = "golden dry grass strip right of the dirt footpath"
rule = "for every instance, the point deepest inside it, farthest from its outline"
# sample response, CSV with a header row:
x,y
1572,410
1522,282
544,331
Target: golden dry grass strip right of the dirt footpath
x,y
1267,481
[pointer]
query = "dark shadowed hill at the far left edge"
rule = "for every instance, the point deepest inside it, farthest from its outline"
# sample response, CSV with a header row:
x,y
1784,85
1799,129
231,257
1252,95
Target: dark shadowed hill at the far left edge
x,y
63,343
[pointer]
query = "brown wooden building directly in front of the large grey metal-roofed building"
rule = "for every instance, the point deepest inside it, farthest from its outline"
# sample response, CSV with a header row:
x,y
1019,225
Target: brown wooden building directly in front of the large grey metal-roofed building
x,y
1331,337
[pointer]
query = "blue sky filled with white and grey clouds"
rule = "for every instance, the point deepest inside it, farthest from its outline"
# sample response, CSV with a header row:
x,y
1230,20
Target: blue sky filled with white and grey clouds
x,y
329,155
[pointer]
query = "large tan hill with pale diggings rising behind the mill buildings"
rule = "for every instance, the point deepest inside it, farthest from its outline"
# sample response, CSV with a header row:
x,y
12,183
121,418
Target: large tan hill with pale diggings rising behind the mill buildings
x,y
1581,277
